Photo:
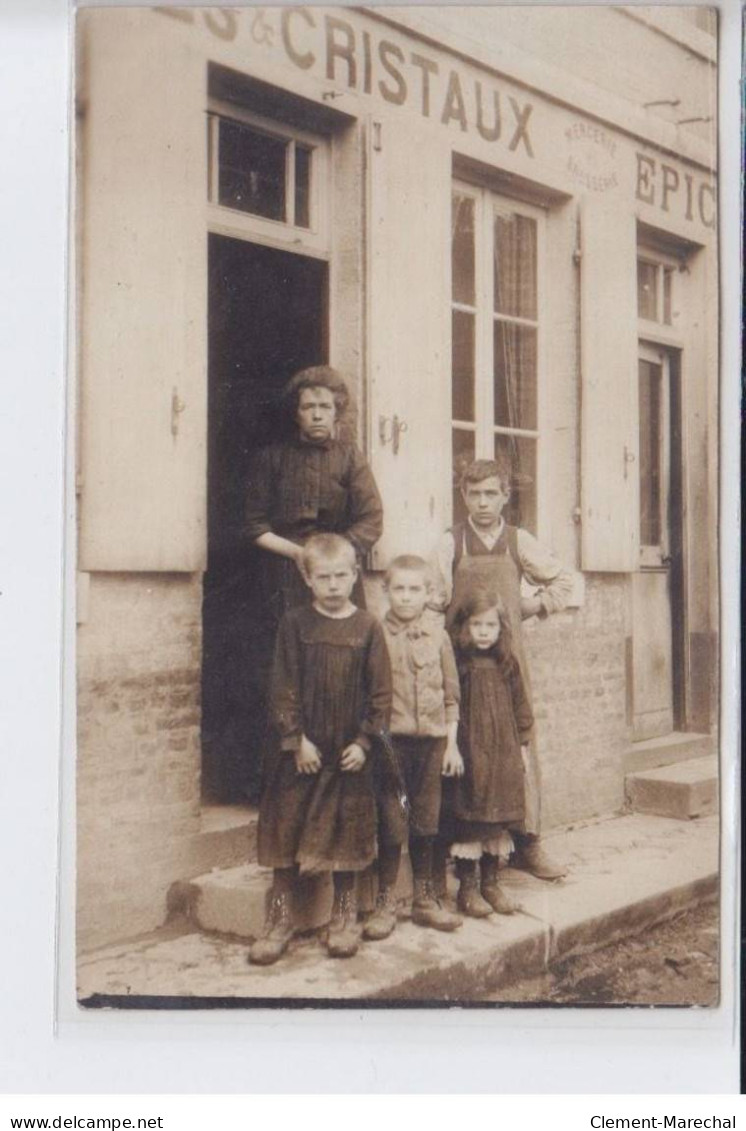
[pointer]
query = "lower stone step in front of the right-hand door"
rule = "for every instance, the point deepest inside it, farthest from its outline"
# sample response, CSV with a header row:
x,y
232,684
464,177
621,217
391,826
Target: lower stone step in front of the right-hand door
x,y
683,791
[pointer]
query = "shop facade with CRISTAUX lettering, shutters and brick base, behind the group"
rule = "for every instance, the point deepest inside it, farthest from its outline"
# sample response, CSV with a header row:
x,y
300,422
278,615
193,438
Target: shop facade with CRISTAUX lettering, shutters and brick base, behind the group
x,y
502,246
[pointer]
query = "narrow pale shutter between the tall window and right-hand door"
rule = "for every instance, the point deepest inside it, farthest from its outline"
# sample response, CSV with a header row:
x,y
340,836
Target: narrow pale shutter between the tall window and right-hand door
x,y
610,471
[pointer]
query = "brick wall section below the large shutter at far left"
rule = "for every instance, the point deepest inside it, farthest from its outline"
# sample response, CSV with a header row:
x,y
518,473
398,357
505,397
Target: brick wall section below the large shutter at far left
x,y
138,749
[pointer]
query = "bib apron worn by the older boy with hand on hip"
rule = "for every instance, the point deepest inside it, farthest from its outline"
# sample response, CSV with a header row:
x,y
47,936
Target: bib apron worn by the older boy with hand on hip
x,y
475,566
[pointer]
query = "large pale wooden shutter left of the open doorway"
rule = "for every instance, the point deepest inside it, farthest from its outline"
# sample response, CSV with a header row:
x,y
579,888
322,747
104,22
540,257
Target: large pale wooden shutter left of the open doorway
x,y
143,277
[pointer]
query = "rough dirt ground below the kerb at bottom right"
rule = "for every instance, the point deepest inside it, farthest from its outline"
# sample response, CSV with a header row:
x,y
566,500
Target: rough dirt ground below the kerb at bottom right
x,y
675,964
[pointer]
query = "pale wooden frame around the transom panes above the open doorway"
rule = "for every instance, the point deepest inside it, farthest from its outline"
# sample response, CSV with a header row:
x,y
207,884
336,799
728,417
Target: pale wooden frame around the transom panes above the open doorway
x,y
222,220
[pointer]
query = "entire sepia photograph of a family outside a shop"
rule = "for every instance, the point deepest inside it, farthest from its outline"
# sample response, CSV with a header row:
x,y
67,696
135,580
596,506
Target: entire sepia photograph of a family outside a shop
x,y
396,377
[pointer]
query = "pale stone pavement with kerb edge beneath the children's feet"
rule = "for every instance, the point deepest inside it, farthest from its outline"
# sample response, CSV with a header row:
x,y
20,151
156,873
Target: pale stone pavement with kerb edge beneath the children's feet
x,y
626,875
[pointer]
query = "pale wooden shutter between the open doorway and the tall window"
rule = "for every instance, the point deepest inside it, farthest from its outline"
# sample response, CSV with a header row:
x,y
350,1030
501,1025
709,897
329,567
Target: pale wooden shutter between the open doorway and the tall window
x,y
409,318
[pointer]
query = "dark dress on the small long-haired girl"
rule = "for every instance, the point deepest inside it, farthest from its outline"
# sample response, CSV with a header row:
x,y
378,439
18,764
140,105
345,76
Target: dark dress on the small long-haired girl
x,y
496,722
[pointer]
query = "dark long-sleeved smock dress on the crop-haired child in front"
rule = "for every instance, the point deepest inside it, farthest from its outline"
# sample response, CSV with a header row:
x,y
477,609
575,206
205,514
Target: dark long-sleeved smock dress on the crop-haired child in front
x,y
332,681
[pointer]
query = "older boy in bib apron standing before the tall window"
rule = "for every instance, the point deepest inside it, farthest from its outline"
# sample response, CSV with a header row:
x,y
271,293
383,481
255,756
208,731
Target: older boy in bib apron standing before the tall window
x,y
487,552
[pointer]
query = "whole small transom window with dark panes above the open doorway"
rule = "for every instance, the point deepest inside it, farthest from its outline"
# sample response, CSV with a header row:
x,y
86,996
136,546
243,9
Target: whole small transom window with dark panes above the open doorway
x,y
266,180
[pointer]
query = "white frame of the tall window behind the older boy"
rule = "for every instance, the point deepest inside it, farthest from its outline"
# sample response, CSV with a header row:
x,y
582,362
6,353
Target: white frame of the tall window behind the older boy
x,y
488,204
